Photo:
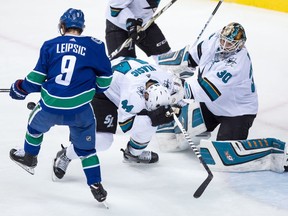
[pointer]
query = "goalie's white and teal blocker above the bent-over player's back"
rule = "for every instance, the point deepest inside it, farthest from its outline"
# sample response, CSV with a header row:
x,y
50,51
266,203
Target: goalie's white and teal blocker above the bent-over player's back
x,y
177,62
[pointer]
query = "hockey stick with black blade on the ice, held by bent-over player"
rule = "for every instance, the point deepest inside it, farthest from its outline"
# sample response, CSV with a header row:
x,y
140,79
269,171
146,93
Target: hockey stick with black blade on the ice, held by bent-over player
x,y
203,186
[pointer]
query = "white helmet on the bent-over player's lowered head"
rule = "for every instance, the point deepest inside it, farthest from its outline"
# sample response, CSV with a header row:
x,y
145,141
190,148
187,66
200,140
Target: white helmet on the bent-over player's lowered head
x,y
156,95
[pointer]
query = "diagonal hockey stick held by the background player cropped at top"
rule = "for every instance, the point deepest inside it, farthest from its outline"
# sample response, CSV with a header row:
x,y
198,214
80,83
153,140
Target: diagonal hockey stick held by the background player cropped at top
x,y
129,40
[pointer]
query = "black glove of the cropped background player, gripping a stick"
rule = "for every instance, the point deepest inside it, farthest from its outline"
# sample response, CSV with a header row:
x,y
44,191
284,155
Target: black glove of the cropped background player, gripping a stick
x,y
132,26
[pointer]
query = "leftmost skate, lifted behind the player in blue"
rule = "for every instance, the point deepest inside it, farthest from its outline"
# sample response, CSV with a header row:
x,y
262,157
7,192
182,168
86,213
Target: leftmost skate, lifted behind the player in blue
x,y
25,160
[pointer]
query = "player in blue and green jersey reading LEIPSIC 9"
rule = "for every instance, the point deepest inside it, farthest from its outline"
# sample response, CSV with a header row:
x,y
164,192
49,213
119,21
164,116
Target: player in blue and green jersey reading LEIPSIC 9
x,y
70,69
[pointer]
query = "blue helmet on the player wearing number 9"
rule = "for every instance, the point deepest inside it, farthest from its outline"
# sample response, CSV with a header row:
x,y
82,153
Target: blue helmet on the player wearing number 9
x,y
73,18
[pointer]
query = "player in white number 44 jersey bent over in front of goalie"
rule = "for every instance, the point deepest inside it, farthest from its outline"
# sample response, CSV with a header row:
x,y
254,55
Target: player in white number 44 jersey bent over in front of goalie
x,y
142,93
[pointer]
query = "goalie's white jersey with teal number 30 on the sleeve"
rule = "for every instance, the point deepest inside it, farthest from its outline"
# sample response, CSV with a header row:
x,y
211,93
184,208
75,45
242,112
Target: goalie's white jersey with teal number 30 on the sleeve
x,y
226,86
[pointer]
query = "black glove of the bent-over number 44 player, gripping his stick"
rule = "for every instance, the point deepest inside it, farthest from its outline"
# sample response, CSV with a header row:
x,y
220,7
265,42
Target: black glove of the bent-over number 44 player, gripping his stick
x,y
161,115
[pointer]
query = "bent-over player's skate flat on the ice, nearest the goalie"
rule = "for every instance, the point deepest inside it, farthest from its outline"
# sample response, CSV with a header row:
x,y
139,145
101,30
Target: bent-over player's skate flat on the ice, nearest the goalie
x,y
145,157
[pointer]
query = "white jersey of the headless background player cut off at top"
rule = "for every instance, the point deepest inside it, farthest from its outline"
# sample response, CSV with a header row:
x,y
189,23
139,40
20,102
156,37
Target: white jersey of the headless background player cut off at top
x,y
118,11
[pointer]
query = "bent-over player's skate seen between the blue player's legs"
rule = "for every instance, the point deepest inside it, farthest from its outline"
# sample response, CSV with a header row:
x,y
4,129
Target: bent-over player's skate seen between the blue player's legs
x,y
60,164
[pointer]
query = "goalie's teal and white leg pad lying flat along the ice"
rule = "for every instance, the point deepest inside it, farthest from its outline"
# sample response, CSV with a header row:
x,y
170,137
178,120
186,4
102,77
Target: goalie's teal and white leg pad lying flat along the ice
x,y
245,155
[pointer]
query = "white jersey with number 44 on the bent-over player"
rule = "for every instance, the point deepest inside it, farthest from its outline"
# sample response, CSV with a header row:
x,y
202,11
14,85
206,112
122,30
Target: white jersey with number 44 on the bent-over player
x,y
129,83
